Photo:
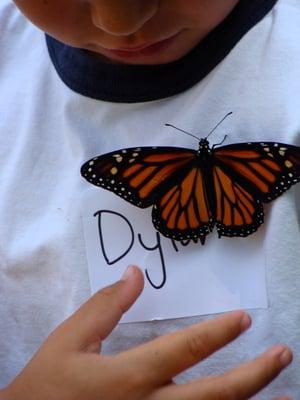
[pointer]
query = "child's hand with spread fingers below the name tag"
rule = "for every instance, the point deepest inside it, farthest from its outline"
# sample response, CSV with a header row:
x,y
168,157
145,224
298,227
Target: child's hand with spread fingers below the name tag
x,y
68,365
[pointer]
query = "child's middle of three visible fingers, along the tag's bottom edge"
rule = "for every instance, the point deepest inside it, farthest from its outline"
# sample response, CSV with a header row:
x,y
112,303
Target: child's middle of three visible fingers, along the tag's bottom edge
x,y
160,360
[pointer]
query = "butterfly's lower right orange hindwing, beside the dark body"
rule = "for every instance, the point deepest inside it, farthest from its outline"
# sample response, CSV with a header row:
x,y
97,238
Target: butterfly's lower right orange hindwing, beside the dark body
x,y
237,212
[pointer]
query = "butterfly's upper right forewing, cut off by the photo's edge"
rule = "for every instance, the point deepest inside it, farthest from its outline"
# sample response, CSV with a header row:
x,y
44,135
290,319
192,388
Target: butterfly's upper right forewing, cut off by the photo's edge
x,y
265,169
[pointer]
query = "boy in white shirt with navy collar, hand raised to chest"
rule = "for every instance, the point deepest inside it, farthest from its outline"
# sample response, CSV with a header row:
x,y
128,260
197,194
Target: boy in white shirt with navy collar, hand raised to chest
x,y
116,56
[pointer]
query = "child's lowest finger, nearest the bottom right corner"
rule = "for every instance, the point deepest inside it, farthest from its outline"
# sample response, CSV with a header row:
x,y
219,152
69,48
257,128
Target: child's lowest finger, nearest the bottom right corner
x,y
240,383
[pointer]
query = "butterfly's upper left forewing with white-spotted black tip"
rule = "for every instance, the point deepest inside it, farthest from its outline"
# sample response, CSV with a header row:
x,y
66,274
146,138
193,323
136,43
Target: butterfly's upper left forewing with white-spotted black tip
x,y
138,175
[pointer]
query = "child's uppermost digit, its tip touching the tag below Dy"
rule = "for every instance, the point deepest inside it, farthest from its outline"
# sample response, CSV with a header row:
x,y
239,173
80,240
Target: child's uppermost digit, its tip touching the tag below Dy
x,y
96,318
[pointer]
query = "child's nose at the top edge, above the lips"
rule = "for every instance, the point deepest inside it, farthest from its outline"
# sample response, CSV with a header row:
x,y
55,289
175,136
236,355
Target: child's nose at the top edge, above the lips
x,y
122,17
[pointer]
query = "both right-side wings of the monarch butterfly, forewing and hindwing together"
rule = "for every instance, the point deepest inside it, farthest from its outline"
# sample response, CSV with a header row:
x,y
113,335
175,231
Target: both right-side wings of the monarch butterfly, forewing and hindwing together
x,y
247,174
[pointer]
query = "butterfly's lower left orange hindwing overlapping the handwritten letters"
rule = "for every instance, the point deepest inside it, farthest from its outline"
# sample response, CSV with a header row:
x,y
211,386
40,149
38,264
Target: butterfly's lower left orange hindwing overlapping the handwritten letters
x,y
183,211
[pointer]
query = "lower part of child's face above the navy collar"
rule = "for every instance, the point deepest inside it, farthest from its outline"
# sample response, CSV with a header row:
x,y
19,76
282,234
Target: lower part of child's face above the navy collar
x,y
129,31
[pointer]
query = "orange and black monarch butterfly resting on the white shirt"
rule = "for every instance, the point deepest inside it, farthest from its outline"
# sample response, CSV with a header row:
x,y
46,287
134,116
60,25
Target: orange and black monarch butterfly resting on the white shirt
x,y
192,191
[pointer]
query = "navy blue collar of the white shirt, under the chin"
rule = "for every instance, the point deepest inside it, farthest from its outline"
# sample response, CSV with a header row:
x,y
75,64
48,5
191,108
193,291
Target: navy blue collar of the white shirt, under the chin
x,y
89,76
